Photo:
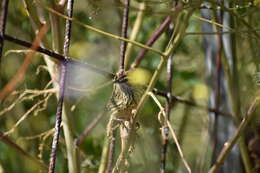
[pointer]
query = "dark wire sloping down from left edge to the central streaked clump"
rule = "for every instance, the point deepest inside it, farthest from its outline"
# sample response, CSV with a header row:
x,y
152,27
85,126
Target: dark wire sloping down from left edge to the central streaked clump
x,y
59,56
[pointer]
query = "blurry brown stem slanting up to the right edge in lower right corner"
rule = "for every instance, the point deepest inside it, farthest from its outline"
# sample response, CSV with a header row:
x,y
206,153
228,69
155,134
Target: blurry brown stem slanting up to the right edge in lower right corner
x,y
229,145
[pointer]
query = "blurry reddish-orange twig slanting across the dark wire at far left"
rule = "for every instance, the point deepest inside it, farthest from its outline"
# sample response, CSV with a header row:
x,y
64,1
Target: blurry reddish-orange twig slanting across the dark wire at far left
x,y
23,68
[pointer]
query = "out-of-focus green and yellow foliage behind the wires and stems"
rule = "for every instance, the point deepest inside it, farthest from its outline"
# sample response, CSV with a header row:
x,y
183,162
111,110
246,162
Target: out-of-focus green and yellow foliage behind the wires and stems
x,y
103,52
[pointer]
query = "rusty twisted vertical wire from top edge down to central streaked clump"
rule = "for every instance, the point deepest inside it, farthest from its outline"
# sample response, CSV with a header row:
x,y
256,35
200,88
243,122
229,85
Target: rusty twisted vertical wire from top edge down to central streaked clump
x,y
124,35
